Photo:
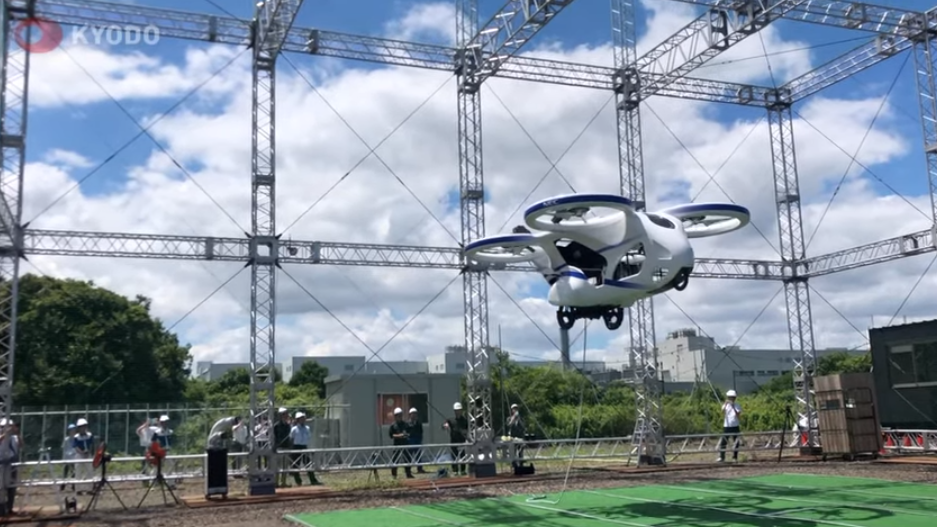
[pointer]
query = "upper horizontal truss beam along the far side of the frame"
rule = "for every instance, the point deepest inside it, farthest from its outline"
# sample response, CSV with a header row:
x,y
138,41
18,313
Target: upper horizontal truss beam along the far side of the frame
x,y
227,30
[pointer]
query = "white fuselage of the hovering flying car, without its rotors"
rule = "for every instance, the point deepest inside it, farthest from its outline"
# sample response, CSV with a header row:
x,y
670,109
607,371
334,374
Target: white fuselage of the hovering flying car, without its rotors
x,y
583,280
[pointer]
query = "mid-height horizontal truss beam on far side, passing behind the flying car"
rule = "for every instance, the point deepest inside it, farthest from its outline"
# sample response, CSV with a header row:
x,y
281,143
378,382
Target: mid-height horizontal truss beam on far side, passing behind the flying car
x,y
169,247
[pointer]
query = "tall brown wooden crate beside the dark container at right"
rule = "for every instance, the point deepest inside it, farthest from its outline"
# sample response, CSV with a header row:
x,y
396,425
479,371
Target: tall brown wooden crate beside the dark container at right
x,y
847,414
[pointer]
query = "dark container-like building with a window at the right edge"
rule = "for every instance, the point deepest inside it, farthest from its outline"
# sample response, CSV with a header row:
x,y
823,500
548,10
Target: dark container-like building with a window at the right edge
x,y
904,365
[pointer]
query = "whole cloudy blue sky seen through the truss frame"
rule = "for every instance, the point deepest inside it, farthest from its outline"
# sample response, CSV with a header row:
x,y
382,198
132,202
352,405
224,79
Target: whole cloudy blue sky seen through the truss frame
x,y
191,176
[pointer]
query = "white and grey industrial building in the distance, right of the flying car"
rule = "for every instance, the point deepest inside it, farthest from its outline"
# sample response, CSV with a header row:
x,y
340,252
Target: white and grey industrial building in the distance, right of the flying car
x,y
687,357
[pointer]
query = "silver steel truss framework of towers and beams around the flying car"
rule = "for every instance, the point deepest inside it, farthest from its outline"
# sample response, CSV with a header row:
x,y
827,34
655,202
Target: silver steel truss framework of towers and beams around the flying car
x,y
482,52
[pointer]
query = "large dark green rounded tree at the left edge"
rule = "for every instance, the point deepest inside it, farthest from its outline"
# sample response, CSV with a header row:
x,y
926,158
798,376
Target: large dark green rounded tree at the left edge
x,y
81,344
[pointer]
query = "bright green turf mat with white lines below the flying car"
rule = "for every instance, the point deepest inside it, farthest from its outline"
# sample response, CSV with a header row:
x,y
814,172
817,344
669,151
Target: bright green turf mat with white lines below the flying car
x,y
766,501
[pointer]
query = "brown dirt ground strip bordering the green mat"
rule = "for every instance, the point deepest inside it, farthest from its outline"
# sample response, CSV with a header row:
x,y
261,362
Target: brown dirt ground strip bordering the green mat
x,y
154,514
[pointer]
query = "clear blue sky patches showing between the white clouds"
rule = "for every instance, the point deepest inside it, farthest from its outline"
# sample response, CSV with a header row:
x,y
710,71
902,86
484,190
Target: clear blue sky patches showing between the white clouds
x,y
78,128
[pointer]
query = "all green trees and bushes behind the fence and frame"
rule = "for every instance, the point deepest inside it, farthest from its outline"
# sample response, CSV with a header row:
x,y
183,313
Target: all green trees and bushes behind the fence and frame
x,y
79,344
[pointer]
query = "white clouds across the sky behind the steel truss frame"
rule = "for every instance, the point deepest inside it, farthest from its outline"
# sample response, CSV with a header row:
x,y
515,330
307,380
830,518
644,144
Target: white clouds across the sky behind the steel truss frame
x,y
369,205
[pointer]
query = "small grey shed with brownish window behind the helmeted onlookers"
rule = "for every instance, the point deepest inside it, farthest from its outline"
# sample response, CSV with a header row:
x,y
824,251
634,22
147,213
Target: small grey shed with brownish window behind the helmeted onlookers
x,y
371,400
